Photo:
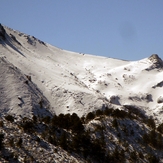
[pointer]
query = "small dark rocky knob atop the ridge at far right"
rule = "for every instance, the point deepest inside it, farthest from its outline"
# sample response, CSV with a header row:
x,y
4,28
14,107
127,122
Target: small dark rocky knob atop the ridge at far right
x,y
157,61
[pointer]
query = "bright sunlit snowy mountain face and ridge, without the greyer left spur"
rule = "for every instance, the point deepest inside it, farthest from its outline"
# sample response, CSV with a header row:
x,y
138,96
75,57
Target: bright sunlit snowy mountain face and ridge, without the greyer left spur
x,y
72,76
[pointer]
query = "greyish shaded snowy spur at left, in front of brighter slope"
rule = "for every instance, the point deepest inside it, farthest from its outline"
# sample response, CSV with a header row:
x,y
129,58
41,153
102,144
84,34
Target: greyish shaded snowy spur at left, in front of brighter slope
x,y
18,95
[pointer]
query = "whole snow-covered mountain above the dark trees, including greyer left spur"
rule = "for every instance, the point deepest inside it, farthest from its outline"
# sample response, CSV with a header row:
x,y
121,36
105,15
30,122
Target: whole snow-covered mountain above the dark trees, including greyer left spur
x,y
75,82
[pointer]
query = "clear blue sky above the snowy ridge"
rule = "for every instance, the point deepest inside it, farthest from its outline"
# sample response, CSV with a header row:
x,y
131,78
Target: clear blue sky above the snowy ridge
x,y
123,29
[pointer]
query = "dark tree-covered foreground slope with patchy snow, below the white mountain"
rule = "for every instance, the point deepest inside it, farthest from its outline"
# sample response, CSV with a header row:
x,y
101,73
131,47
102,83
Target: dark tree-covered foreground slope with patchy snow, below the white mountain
x,y
109,135
